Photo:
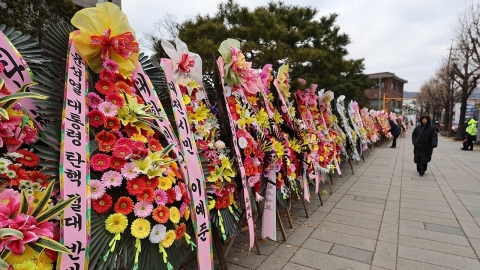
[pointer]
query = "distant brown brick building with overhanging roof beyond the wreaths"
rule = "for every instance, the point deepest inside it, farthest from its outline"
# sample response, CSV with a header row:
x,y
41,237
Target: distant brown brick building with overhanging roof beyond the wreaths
x,y
391,85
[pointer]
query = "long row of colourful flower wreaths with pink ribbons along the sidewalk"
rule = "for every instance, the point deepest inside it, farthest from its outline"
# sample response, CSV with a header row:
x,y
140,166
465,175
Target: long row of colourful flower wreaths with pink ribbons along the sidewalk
x,y
157,178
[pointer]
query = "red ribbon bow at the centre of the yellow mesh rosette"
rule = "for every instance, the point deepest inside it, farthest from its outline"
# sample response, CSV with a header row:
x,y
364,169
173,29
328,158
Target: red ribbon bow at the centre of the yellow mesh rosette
x,y
123,44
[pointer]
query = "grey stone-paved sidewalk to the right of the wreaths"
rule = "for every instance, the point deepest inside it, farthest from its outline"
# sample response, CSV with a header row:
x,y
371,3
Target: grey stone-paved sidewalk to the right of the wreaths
x,y
385,216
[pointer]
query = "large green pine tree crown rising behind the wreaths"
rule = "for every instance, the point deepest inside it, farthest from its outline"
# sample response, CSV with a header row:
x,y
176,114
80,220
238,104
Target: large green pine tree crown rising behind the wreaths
x,y
277,33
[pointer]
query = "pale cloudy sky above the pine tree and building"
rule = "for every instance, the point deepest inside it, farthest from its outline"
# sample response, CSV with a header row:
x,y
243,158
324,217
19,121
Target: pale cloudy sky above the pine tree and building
x,y
406,37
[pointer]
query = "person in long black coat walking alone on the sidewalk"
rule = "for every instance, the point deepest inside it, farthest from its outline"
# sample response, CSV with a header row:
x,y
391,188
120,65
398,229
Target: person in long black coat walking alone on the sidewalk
x,y
424,139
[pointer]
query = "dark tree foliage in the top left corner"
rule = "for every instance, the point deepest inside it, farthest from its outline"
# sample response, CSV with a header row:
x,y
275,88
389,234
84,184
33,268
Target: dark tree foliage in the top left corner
x,y
32,16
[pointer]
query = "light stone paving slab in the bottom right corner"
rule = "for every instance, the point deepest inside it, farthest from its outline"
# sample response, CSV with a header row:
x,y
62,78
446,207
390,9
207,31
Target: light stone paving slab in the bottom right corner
x,y
434,257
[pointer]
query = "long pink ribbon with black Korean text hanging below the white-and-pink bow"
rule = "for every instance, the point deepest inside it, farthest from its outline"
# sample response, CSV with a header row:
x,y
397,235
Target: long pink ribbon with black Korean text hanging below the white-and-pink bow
x,y
194,171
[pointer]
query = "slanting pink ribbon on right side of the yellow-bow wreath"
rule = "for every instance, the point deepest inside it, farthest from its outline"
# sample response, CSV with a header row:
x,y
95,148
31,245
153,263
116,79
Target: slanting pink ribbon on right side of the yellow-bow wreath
x,y
147,92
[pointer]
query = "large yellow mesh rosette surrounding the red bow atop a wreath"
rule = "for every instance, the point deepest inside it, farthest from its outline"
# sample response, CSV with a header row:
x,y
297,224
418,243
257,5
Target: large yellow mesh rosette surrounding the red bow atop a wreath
x,y
94,22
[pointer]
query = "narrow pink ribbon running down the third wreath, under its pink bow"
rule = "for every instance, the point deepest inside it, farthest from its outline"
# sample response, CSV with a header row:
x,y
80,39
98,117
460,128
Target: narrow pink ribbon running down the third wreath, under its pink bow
x,y
246,193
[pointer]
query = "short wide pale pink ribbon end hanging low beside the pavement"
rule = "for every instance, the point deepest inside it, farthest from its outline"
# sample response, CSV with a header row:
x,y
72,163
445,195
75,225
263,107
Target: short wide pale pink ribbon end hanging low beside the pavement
x,y
269,225
